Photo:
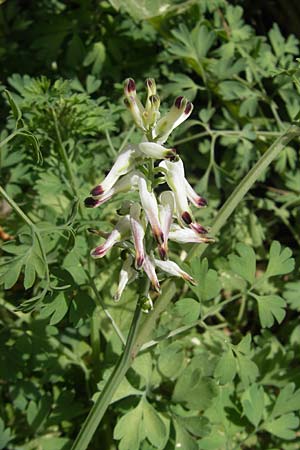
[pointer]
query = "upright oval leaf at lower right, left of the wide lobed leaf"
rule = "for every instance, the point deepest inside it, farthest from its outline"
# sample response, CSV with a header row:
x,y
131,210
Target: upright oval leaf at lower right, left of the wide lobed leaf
x,y
253,403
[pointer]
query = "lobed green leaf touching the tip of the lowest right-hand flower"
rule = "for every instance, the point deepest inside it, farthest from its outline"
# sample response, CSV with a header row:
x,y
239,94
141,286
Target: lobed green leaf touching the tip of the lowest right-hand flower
x,y
209,284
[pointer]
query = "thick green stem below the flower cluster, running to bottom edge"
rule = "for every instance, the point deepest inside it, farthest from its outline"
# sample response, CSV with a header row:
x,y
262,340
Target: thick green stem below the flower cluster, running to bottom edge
x,y
99,408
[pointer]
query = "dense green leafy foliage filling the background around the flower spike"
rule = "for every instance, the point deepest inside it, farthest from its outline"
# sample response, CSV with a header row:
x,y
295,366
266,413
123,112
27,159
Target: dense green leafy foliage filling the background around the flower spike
x,y
228,377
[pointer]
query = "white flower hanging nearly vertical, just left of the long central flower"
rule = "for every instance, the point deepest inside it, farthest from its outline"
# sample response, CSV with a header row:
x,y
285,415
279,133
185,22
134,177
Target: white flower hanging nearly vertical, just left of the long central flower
x,y
138,234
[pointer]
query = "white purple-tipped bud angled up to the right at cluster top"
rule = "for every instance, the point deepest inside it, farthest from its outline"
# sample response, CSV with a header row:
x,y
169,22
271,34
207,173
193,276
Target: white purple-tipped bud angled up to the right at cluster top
x,y
179,112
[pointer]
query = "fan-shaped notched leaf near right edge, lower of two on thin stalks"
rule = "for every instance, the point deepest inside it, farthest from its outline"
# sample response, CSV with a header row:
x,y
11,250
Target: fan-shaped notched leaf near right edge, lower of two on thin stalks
x,y
270,307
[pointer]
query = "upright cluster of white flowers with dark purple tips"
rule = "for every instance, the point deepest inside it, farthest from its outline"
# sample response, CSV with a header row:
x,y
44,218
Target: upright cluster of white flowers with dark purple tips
x,y
142,168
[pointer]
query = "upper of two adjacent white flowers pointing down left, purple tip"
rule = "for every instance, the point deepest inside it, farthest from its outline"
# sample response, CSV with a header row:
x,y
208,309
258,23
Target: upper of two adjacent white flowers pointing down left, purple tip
x,y
124,163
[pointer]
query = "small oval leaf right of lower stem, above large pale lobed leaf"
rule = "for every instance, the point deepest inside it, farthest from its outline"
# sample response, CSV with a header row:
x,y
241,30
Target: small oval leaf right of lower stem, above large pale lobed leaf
x,y
171,360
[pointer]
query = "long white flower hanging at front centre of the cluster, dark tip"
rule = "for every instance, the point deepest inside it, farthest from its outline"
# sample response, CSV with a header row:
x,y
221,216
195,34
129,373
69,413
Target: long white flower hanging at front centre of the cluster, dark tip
x,y
149,204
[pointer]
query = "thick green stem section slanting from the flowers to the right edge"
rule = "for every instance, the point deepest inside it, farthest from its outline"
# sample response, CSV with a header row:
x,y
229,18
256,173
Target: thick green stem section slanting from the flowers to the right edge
x,y
246,184
